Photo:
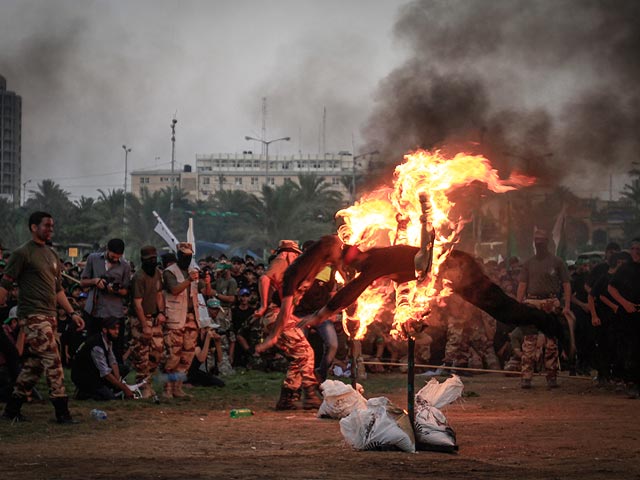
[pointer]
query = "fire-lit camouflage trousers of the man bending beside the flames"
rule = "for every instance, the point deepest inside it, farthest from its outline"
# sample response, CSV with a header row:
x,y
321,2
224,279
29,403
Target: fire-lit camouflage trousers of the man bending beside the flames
x,y
296,349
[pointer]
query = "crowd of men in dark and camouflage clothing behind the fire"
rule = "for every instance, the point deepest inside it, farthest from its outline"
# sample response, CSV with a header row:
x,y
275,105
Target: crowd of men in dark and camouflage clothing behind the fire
x,y
184,321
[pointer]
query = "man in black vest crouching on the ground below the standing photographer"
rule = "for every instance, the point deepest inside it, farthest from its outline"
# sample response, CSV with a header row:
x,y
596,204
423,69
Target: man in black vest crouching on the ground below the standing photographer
x,y
95,369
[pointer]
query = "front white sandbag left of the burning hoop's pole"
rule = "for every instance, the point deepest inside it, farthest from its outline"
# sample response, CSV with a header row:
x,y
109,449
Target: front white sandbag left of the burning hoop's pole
x,y
381,426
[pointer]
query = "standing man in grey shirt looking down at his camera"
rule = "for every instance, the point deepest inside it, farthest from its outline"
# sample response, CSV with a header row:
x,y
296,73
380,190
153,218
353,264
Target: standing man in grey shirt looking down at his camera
x,y
108,275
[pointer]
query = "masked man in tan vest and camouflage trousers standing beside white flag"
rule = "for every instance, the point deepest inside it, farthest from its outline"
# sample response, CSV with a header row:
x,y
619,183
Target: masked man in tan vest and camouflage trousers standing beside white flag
x,y
181,326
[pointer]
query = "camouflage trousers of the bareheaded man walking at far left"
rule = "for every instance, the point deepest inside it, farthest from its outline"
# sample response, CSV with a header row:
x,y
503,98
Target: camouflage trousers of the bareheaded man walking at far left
x,y
41,355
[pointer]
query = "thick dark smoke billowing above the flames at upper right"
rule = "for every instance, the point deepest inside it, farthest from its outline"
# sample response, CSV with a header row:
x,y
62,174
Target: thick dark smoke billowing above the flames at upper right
x,y
547,87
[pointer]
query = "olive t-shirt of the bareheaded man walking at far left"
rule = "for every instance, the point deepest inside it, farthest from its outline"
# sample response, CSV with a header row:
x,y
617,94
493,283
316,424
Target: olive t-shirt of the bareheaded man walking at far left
x,y
36,270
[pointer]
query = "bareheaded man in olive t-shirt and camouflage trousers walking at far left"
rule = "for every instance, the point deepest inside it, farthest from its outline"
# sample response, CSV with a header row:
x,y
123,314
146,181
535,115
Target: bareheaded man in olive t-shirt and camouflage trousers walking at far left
x,y
35,267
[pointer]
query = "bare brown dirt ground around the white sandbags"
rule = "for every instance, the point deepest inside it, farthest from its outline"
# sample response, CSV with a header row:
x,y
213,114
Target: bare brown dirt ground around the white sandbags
x,y
574,432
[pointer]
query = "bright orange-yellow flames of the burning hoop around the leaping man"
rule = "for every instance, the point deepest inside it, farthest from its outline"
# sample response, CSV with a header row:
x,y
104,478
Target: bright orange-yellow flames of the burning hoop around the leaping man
x,y
372,222
